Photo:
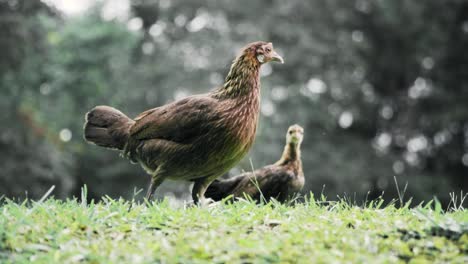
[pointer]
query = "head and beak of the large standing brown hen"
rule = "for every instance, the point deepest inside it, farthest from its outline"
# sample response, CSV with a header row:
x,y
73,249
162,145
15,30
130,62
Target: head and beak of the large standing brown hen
x,y
262,52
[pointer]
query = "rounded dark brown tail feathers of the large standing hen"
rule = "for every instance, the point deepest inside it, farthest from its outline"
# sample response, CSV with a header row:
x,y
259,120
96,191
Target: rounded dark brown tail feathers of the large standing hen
x,y
107,127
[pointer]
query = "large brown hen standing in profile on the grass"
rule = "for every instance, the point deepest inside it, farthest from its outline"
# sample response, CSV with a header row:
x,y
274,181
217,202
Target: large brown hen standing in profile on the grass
x,y
197,138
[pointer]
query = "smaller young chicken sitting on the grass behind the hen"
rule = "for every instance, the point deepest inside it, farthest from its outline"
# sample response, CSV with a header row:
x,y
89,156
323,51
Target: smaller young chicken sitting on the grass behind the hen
x,y
280,181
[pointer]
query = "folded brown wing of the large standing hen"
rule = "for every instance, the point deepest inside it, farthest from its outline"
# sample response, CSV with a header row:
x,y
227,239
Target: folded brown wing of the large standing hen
x,y
181,121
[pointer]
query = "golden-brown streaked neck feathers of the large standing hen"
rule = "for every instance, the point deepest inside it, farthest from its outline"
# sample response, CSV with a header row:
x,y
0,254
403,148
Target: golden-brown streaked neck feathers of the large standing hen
x,y
242,80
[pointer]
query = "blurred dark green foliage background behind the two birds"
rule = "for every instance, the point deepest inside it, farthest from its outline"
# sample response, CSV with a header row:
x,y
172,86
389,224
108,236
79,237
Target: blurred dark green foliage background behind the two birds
x,y
379,86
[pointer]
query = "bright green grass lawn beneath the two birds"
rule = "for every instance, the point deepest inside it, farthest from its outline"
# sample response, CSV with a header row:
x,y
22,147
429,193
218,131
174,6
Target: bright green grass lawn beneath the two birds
x,y
119,231
